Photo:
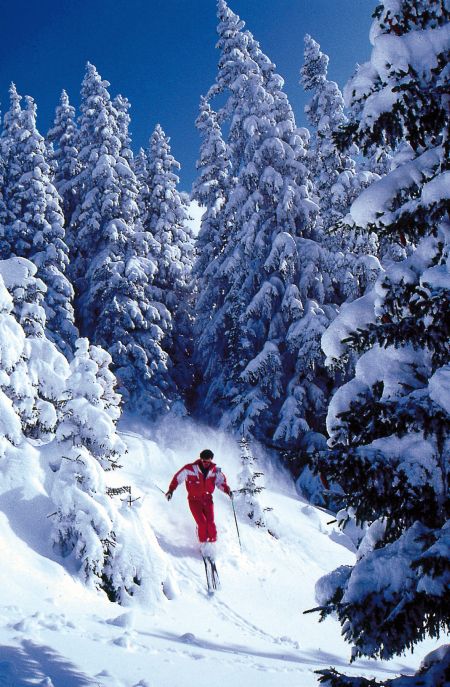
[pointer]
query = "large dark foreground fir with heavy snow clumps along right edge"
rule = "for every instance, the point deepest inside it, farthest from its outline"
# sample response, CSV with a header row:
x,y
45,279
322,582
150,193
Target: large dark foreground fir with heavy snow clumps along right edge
x,y
389,424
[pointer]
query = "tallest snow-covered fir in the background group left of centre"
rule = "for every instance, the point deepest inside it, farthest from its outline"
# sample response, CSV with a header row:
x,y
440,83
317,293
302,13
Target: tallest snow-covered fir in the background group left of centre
x,y
113,267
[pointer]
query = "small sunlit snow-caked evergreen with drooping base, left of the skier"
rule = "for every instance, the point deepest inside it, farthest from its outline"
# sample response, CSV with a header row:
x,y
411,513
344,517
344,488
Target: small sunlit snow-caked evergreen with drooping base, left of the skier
x,y
106,541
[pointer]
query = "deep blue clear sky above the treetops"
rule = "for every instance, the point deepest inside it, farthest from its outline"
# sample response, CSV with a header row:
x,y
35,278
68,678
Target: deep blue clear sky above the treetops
x,y
161,54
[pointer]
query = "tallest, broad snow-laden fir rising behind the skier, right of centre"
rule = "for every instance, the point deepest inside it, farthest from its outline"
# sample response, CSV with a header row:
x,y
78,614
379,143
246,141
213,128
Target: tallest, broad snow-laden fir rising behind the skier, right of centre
x,y
268,278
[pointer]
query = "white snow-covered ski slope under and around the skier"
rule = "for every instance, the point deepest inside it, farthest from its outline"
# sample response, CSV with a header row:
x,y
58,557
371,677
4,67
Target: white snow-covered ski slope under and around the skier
x,y
56,631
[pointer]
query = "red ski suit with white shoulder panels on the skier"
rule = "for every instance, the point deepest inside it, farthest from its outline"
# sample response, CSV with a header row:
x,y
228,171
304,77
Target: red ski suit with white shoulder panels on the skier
x,y
200,489
